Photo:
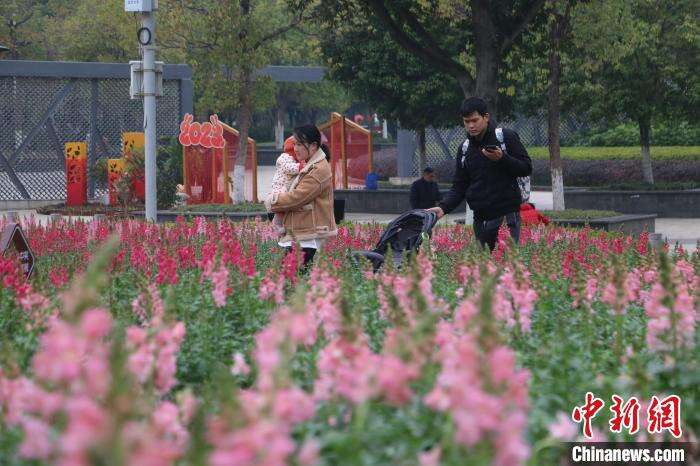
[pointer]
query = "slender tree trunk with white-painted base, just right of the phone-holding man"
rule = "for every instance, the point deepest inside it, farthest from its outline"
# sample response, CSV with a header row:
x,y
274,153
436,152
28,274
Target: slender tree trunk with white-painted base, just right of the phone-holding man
x,y
553,117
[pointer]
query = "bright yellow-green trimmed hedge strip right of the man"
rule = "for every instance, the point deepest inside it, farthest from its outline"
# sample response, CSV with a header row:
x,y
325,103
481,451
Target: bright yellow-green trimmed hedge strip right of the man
x,y
601,153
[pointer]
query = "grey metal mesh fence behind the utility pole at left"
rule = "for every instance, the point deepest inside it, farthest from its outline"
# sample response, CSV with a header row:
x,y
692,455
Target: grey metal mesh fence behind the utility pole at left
x,y
43,105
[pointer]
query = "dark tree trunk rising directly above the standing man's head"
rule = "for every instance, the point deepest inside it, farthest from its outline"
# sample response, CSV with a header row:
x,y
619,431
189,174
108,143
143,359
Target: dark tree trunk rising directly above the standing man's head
x,y
487,55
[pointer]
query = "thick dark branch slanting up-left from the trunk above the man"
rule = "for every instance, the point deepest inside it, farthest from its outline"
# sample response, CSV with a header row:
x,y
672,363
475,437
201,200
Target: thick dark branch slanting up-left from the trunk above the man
x,y
430,52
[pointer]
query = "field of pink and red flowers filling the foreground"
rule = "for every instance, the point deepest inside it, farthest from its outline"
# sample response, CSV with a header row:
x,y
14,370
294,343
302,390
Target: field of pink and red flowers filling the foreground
x,y
201,343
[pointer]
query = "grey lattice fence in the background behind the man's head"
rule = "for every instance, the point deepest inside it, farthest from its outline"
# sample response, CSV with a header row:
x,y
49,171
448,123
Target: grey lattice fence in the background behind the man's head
x,y
441,144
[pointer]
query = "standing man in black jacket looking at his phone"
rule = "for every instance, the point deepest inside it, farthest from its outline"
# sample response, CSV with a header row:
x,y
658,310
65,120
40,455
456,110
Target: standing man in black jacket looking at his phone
x,y
487,176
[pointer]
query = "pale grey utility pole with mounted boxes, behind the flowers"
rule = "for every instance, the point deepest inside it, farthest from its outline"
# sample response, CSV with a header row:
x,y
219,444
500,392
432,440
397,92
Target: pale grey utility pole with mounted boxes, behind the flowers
x,y
147,81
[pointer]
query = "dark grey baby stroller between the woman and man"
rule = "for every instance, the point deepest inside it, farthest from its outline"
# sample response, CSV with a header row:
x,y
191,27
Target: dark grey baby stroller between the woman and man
x,y
403,234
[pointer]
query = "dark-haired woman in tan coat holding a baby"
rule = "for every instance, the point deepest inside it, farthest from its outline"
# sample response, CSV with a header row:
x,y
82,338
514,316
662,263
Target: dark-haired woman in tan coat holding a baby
x,y
308,205
